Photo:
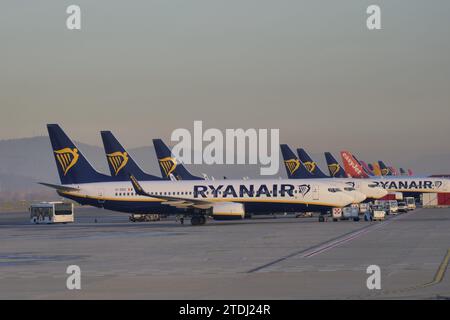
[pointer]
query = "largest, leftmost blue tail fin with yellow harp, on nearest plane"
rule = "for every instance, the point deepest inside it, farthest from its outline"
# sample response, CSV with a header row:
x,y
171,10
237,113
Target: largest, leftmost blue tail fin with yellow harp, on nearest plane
x,y
73,167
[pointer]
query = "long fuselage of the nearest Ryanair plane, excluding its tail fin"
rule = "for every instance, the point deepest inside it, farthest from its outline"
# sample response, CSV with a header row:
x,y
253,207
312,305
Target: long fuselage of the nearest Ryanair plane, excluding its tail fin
x,y
256,195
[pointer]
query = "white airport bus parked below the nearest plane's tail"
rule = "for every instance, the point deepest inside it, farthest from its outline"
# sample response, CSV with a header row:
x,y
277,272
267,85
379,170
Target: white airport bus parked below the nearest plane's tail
x,y
51,212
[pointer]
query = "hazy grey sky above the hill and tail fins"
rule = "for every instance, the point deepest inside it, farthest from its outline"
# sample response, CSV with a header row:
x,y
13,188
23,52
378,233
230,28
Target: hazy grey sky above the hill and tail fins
x,y
310,68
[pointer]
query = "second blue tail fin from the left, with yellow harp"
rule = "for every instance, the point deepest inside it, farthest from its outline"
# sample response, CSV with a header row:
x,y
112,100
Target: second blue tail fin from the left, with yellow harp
x,y
120,163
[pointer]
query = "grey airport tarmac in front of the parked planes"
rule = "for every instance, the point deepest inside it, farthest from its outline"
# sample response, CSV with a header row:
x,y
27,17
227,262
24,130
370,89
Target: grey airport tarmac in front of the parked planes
x,y
263,258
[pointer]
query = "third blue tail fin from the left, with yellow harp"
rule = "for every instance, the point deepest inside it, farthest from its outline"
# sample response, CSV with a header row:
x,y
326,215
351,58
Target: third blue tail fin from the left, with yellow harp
x,y
169,165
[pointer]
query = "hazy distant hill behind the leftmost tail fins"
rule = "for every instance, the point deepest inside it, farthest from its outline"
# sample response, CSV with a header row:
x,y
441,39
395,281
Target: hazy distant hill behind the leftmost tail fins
x,y
24,162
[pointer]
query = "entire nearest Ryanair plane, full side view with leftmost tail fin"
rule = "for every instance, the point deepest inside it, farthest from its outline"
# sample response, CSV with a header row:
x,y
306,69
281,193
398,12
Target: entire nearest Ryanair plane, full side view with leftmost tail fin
x,y
195,198
